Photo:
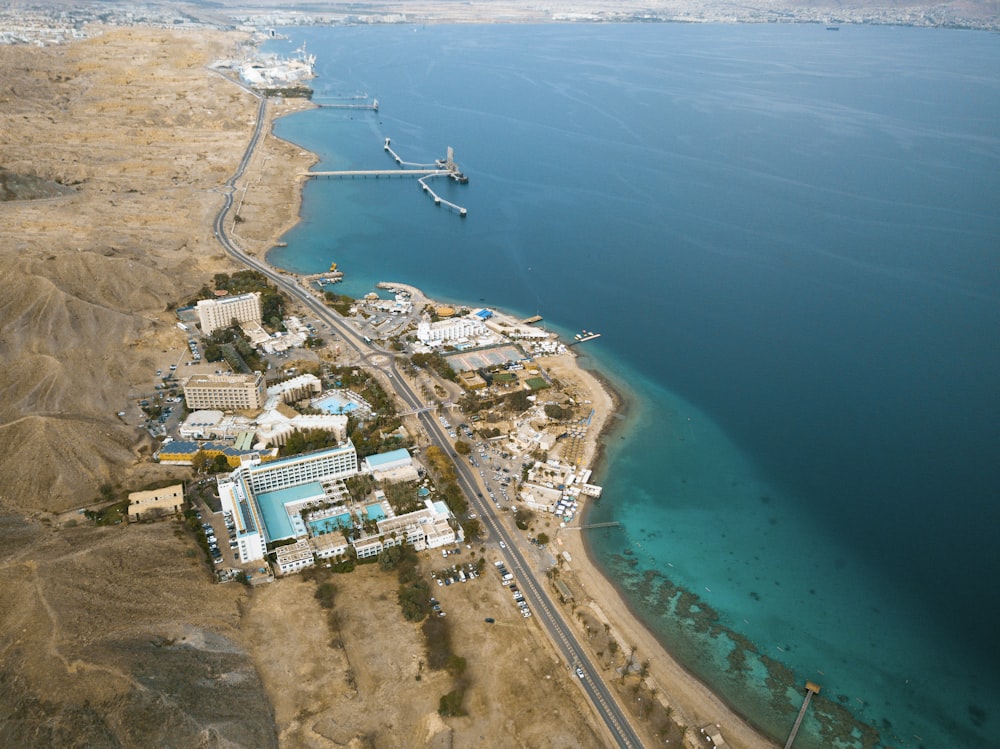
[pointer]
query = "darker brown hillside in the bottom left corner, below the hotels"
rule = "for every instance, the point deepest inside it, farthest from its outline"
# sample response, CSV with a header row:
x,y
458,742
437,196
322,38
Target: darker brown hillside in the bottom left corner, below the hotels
x,y
112,637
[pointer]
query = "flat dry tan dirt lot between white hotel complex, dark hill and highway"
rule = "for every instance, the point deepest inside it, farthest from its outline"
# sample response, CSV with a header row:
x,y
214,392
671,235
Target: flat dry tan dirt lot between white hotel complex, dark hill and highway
x,y
364,682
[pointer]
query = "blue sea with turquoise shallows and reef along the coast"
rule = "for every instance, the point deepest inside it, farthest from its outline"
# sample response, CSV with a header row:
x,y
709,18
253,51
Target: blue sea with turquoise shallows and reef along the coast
x,y
789,240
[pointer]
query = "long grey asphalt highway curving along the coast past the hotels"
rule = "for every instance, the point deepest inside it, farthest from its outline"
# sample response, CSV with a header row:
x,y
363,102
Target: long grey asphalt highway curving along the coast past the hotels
x,y
534,591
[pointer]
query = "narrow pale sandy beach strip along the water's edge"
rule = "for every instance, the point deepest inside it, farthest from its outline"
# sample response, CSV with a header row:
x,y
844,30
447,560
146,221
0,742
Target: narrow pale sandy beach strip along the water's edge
x,y
692,701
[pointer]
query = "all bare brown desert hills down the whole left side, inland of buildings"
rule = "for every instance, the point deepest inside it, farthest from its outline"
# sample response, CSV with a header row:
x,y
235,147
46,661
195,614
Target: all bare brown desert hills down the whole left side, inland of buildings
x,y
111,636
